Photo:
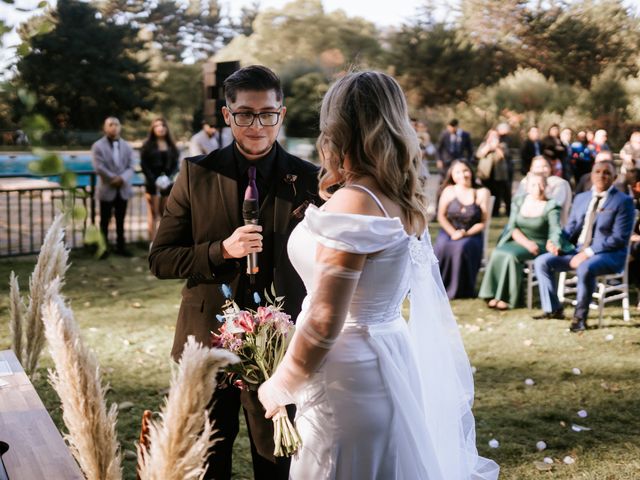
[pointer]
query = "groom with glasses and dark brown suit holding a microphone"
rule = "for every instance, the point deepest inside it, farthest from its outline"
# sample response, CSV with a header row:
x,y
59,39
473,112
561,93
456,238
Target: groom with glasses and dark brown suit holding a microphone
x,y
201,238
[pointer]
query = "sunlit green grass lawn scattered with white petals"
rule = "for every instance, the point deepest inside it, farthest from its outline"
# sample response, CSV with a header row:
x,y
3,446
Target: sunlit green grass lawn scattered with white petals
x,y
128,317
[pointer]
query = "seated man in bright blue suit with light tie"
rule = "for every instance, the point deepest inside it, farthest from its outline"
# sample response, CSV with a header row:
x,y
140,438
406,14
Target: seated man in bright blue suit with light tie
x,y
600,225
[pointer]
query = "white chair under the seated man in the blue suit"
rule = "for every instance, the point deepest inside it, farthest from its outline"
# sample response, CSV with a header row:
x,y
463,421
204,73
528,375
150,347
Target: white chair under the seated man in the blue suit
x,y
609,288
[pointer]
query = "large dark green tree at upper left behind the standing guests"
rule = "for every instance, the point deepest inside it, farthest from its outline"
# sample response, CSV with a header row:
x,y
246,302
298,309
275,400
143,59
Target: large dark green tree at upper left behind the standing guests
x,y
84,69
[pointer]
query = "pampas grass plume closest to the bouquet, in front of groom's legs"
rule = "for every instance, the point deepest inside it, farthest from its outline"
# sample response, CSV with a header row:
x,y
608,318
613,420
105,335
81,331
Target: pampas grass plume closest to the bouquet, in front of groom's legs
x,y
180,442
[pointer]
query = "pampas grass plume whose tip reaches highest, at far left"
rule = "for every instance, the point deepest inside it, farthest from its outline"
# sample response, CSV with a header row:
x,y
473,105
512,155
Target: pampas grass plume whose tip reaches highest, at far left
x,y
52,263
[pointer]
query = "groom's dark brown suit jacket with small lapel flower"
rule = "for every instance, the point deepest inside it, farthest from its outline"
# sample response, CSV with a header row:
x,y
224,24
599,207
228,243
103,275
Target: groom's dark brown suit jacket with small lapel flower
x,y
201,212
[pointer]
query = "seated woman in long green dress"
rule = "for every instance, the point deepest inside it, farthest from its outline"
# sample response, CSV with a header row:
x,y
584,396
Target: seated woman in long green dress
x,y
533,228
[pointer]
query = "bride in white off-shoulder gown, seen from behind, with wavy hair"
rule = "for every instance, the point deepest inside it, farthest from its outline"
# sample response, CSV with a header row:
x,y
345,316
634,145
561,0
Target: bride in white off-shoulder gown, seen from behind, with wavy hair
x,y
377,397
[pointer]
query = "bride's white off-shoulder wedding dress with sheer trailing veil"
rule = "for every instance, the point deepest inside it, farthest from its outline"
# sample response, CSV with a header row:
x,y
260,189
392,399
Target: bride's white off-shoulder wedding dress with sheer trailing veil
x,y
391,400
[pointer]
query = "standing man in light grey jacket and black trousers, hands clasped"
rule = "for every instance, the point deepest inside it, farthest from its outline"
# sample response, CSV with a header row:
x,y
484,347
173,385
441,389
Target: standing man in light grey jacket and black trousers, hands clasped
x,y
113,162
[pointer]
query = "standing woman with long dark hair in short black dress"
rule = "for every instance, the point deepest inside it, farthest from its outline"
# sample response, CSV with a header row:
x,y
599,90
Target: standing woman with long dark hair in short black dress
x,y
159,162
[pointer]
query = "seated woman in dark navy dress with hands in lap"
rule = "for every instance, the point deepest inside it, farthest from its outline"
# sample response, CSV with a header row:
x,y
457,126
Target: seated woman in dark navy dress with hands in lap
x,y
462,211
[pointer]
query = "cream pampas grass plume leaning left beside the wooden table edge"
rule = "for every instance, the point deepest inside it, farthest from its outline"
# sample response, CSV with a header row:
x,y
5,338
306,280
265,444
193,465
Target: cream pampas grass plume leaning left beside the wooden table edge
x,y
76,380
